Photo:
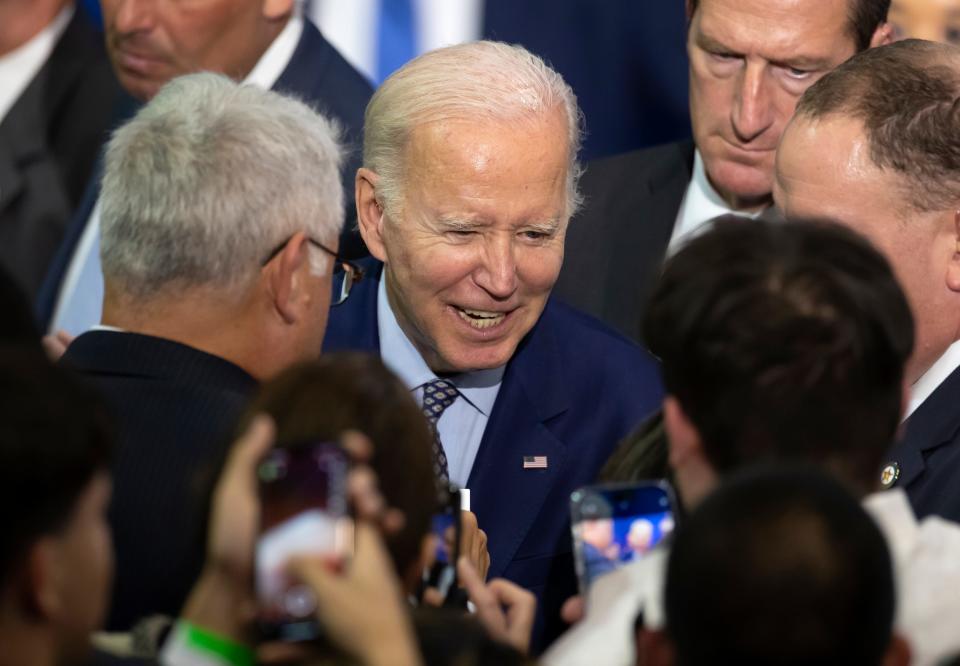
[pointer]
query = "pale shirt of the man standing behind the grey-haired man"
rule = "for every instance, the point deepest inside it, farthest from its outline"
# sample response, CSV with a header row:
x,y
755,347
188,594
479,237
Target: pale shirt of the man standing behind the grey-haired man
x,y
76,315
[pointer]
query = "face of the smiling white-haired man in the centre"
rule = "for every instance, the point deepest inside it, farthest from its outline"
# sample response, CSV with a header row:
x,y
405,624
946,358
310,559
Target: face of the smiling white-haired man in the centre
x,y
478,244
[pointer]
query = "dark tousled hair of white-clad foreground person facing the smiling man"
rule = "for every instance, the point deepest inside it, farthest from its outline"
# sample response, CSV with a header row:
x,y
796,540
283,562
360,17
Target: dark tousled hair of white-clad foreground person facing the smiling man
x,y
784,341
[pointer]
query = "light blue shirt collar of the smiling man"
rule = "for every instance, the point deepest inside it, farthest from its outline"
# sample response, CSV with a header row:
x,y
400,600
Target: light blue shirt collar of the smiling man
x,y
479,387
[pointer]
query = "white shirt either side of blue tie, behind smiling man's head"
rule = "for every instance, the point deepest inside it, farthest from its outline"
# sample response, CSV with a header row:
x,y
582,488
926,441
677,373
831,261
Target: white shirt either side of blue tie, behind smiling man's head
x,y
352,27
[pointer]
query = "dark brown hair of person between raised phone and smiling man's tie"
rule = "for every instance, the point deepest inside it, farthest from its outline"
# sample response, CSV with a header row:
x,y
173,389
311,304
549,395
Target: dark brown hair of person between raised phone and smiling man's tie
x,y
321,399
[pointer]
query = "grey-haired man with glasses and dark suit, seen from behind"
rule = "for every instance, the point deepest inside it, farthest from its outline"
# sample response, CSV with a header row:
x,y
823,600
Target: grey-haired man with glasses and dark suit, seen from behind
x,y
222,208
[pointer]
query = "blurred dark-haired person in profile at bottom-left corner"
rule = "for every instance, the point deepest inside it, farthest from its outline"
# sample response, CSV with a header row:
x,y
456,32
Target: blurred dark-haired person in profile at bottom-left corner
x,y
56,562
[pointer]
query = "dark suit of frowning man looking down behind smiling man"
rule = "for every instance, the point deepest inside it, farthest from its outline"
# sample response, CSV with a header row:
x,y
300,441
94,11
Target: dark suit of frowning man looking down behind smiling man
x,y
616,245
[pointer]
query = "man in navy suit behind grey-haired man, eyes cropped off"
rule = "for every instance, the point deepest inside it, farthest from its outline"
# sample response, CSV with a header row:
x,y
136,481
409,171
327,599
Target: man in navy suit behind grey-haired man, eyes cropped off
x,y
265,44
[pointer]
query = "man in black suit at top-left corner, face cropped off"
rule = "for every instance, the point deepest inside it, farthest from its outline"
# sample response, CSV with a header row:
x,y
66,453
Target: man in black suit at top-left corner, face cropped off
x,y
55,107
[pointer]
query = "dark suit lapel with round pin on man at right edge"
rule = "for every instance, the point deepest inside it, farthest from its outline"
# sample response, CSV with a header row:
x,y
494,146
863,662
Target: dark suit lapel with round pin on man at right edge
x,y
933,424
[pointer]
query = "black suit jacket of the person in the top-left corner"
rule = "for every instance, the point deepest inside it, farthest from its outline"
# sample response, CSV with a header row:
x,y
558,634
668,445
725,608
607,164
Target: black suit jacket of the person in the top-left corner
x,y
49,141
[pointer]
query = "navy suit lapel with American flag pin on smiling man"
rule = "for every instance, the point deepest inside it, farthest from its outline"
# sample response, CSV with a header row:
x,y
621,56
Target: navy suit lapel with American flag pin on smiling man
x,y
504,495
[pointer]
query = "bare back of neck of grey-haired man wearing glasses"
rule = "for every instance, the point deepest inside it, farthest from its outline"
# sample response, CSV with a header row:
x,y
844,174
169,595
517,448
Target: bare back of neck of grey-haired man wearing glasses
x,y
204,320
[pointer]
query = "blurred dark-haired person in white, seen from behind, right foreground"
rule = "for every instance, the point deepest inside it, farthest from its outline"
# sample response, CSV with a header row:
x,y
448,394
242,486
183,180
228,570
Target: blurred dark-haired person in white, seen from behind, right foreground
x,y
783,343
